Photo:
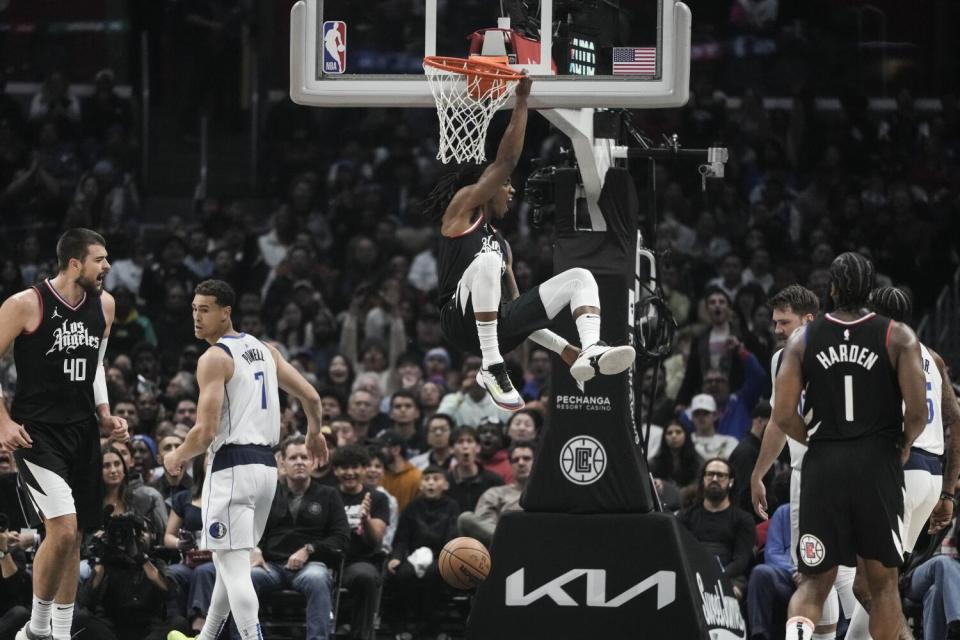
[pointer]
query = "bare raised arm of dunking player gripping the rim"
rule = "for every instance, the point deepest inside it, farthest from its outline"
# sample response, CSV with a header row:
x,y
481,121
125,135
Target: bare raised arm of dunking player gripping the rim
x,y
467,200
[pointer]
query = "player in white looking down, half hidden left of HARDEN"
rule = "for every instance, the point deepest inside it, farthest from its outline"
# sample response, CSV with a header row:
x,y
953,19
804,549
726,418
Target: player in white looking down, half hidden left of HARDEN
x,y
794,307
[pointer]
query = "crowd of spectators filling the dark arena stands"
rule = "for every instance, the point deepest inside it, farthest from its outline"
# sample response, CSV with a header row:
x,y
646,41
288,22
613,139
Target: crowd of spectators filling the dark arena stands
x,y
340,274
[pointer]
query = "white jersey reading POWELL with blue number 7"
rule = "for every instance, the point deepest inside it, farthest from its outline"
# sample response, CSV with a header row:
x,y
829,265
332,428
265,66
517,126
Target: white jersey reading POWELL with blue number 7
x,y
251,403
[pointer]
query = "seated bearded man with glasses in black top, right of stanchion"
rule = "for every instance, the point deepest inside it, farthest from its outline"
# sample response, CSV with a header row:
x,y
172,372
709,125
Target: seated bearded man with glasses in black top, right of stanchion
x,y
725,530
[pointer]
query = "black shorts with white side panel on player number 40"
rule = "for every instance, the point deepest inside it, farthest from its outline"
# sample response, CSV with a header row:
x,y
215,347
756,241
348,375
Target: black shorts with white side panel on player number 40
x,y
62,473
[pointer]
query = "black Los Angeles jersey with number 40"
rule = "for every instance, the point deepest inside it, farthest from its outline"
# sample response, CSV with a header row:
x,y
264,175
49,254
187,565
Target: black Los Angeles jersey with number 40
x,y
56,363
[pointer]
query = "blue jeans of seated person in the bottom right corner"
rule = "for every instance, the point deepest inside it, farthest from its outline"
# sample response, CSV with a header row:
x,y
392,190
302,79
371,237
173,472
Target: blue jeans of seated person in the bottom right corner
x,y
936,583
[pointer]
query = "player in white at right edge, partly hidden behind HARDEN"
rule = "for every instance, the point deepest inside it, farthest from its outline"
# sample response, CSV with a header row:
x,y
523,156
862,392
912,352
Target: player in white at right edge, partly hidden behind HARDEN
x,y
928,485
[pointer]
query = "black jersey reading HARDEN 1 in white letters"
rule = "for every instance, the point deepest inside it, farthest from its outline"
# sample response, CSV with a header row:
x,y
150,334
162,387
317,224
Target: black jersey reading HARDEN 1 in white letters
x,y
852,387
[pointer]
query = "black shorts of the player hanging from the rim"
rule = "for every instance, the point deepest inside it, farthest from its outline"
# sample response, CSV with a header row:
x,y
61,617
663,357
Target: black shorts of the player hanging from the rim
x,y
516,320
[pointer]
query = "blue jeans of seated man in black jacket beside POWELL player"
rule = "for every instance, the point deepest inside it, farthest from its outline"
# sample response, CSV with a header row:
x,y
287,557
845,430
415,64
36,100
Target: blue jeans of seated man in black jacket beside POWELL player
x,y
313,581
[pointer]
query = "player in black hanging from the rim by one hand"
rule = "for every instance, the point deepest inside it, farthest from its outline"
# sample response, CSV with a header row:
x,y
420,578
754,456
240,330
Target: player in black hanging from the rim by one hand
x,y
474,260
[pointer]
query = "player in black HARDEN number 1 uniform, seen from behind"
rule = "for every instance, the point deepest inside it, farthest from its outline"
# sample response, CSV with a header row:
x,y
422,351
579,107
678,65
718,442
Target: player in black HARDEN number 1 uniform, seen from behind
x,y
857,369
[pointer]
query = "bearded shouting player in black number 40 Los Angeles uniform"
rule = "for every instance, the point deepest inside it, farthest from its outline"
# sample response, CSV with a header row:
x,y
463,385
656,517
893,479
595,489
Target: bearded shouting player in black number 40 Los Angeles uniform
x,y
59,330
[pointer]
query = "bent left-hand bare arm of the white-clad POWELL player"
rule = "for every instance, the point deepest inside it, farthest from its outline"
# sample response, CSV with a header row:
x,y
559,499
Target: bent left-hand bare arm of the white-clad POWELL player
x,y
214,370
